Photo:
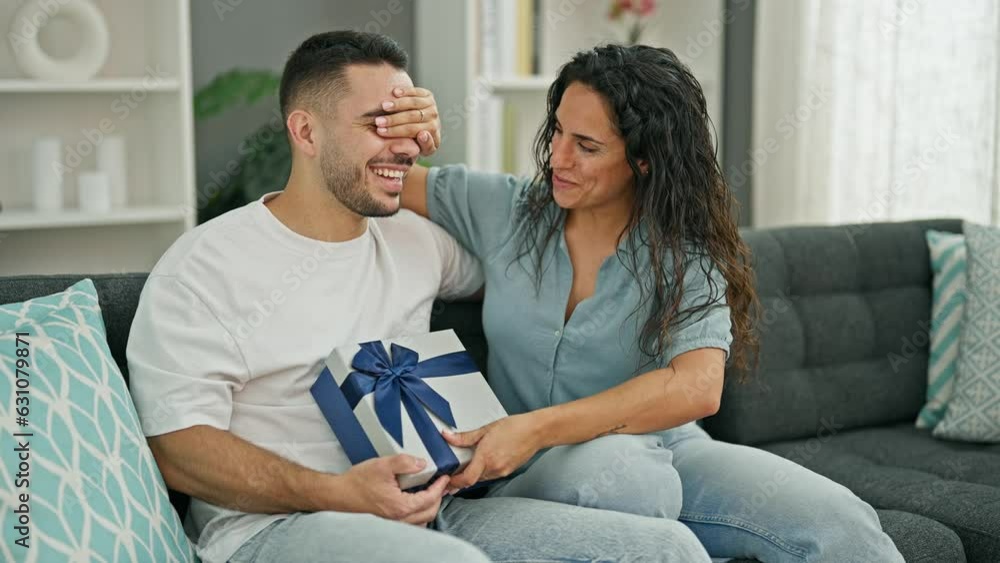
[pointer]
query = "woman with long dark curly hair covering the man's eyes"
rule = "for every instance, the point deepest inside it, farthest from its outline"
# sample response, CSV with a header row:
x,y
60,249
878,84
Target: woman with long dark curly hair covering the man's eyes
x,y
617,287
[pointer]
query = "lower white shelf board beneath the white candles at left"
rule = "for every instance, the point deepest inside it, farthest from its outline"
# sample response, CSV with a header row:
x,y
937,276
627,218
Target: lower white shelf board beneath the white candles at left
x,y
18,219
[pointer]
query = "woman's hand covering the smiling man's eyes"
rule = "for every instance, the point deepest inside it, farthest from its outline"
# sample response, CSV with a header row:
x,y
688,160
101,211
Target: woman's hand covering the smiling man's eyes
x,y
414,115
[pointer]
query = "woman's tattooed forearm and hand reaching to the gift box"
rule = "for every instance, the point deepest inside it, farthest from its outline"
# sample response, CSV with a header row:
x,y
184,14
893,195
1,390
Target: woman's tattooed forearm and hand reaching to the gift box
x,y
688,389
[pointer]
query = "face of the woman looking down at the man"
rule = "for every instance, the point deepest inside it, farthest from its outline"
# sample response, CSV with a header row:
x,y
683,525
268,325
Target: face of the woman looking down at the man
x,y
589,169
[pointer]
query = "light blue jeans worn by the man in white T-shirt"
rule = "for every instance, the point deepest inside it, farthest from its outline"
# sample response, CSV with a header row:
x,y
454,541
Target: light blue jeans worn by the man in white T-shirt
x,y
477,531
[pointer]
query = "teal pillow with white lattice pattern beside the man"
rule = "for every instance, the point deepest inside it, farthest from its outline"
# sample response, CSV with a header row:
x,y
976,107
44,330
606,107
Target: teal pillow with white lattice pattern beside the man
x,y
95,493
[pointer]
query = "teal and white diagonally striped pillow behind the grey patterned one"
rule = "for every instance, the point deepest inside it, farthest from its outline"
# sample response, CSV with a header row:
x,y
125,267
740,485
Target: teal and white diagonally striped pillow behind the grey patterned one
x,y
948,263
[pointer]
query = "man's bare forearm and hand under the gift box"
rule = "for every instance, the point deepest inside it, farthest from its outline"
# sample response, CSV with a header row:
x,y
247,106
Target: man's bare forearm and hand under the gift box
x,y
225,470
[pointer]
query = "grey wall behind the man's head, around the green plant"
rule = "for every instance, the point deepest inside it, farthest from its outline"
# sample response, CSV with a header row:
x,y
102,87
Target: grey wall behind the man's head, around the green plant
x,y
256,34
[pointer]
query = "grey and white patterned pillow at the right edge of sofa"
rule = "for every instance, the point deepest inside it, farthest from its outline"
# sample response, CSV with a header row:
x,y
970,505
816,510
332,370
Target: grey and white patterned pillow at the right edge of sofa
x,y
973,413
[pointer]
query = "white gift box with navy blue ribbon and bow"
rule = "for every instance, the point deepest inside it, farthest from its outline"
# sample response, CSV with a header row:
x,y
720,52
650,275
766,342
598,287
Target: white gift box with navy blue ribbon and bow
x,y
395,396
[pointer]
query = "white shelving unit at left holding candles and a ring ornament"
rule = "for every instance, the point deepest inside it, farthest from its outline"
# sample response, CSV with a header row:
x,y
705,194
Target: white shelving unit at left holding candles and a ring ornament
x,y
143,93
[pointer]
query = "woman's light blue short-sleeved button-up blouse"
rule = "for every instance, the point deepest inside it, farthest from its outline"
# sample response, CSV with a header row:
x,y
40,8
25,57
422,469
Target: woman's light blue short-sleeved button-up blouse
x,y
534,360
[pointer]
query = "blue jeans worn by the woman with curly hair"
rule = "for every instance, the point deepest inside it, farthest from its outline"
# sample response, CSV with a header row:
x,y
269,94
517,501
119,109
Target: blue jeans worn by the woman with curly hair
x,y
739,501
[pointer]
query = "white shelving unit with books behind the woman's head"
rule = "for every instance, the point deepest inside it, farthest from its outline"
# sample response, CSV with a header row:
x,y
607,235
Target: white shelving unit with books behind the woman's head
x,y
449,45
